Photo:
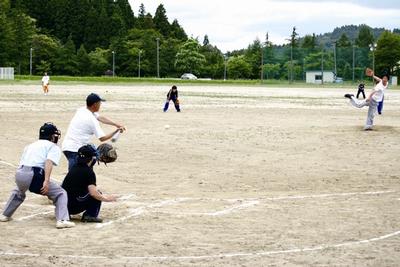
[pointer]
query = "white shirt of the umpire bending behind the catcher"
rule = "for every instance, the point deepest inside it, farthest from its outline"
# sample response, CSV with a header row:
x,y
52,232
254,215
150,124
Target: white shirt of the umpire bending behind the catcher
x,y
36,154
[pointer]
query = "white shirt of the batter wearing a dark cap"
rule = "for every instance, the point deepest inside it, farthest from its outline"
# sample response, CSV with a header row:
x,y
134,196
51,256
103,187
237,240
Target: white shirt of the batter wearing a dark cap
x,y
82,127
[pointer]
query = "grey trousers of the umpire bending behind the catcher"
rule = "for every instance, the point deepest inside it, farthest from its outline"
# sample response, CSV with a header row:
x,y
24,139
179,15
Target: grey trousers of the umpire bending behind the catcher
x,y
23,179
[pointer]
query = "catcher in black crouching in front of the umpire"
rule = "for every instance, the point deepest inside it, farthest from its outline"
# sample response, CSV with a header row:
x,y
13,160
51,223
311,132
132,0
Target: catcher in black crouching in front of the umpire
x,y
80,184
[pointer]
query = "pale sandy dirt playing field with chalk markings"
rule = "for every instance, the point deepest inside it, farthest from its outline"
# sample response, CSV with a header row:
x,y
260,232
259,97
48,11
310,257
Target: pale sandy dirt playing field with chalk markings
x,y
244,176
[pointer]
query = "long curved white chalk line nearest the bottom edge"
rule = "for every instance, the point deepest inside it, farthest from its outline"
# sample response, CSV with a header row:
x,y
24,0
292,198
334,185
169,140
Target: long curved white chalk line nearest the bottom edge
x,y
203,257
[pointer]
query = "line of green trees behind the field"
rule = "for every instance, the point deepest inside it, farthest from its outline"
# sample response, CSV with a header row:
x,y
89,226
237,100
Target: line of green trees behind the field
x,y
85,38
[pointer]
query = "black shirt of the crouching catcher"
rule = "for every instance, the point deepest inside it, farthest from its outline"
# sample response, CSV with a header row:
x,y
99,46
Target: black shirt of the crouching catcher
x,y
77,181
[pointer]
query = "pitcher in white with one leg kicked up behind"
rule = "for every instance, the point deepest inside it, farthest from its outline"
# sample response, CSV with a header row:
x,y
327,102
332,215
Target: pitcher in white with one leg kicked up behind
x,y
373,99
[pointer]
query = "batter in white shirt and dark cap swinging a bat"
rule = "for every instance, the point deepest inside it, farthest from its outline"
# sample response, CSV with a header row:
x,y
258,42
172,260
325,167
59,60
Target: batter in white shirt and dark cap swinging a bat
x,y
84,125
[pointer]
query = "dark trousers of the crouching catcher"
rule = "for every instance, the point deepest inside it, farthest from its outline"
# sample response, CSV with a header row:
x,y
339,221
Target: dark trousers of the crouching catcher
x,y
87,204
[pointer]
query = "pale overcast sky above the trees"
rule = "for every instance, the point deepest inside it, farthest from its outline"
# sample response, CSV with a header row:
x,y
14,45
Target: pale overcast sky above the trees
x,y
234,24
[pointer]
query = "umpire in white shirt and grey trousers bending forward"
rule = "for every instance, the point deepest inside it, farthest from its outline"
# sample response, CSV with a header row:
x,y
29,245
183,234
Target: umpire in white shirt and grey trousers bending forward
x,y
34,173
